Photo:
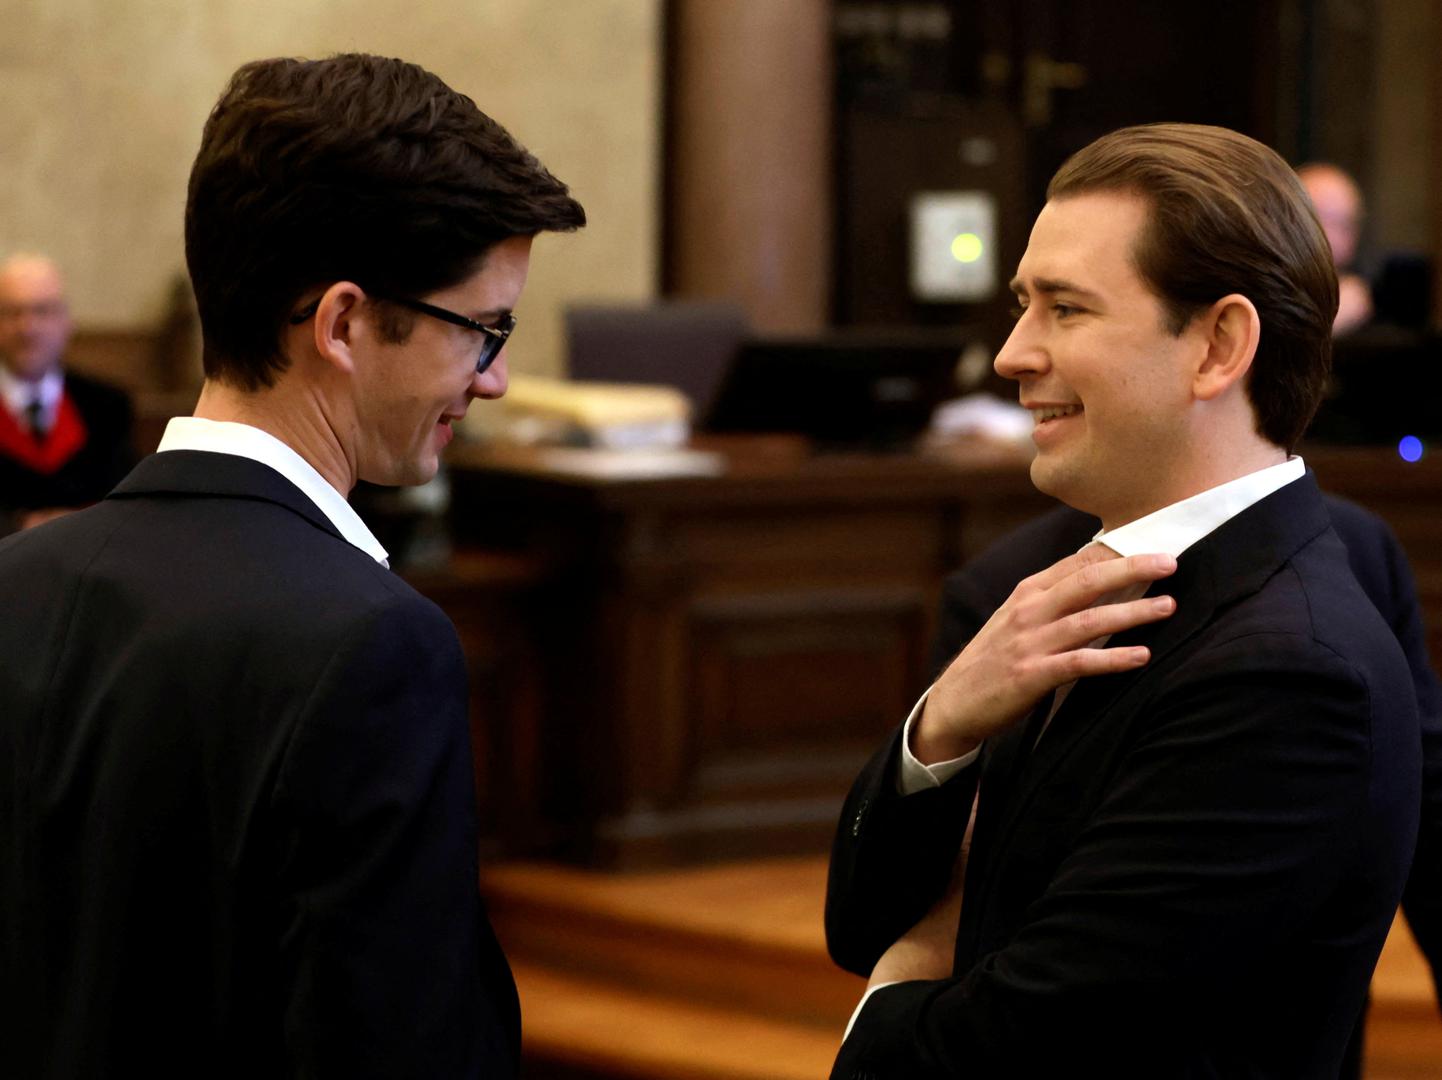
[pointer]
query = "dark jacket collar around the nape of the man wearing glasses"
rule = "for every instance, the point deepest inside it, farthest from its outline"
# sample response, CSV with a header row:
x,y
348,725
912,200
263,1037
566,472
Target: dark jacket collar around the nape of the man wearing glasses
x,y
210,475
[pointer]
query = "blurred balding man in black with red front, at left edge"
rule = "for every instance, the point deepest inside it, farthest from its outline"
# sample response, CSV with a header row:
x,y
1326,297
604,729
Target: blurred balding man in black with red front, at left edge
x,y
64,439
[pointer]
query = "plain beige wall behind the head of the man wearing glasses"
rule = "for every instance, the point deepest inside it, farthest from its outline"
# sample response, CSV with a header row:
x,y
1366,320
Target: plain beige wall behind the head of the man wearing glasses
x,y
102,105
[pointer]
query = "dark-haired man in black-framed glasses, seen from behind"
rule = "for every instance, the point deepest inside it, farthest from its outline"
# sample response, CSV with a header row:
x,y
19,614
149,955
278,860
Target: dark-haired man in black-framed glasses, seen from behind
x,y
239,813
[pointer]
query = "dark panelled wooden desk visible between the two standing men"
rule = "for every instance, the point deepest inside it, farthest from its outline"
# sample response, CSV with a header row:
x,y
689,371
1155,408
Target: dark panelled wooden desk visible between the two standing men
x,y
720,654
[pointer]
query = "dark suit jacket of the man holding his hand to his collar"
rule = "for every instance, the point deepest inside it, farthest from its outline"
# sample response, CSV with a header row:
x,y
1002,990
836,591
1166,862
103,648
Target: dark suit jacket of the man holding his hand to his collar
x,y
1193,873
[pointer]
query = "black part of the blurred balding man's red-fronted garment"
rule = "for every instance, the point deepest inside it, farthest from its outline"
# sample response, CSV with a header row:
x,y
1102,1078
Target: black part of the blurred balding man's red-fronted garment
x,y
97,466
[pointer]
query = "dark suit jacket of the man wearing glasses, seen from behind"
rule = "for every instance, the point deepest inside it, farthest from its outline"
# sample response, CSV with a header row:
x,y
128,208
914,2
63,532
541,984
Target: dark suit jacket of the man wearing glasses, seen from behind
x,y
237,821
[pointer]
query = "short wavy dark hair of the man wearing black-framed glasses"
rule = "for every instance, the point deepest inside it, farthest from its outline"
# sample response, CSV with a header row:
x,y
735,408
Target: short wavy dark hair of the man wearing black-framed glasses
x,y
347,169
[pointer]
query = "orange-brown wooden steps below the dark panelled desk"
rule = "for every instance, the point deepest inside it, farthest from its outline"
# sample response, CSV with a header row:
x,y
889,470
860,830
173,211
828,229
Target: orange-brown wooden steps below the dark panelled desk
x,y
722,974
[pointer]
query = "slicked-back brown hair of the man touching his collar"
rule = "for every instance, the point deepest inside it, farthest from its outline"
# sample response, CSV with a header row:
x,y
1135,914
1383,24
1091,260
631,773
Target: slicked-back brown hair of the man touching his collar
x,y
1228,216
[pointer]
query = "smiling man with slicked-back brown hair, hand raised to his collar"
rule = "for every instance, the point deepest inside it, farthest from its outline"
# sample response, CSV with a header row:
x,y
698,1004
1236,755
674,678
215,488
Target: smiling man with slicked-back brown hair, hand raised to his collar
x,y
1156,817
